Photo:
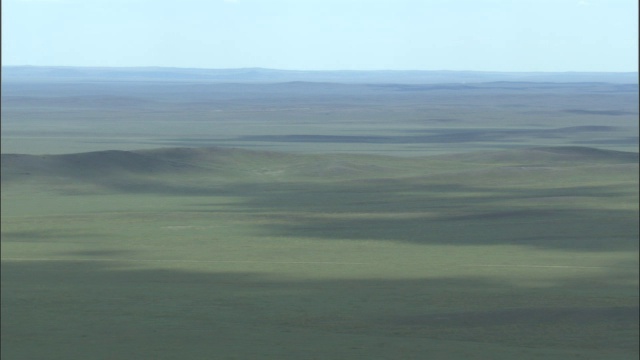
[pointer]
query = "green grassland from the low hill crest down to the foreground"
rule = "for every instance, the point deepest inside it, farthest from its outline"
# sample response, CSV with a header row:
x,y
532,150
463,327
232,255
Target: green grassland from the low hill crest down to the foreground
x,y
240,254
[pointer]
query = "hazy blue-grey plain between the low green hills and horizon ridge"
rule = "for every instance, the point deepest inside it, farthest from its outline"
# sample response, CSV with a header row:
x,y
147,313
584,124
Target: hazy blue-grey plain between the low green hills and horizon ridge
x,y
41,118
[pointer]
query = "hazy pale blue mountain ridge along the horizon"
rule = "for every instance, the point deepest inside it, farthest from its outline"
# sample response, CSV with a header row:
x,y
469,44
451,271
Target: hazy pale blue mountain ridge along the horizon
x,y
262,75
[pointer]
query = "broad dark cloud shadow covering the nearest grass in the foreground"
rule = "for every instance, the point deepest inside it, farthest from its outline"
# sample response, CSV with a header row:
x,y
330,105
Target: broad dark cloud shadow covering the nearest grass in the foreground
x,y
84,307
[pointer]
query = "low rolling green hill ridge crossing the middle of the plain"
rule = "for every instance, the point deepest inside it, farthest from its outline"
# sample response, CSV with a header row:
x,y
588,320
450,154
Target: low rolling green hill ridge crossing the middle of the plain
x,y
247,165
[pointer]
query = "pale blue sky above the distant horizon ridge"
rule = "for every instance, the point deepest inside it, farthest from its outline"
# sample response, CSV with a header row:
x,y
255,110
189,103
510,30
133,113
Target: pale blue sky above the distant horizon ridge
x,y
484,35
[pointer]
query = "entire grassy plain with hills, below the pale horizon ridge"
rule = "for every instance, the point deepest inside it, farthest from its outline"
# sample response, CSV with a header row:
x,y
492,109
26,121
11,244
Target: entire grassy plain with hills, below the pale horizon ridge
x,y
316,220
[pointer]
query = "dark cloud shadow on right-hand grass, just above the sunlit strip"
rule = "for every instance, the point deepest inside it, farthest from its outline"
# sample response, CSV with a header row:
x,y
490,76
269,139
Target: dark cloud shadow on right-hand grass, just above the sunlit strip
x,y
584,230
